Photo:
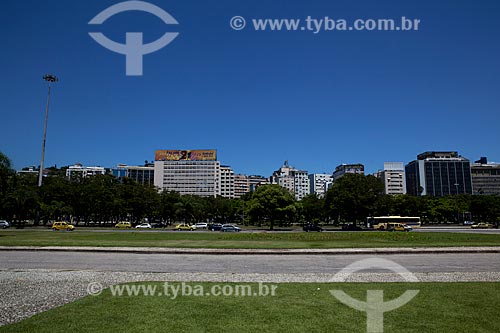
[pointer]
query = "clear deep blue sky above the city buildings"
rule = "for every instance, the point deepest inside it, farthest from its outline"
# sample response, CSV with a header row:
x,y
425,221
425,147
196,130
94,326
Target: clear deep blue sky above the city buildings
x,y
259,98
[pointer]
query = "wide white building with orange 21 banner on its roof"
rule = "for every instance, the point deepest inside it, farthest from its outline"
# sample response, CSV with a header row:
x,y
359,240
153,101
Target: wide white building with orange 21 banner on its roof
x,y
193,172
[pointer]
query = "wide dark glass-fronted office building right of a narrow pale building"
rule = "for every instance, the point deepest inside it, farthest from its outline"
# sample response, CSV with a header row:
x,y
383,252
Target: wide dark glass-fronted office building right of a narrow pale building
x,y
438,174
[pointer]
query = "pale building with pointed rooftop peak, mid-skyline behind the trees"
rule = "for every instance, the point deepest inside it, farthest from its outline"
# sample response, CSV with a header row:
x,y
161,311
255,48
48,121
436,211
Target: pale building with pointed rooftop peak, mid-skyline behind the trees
x,y
296,181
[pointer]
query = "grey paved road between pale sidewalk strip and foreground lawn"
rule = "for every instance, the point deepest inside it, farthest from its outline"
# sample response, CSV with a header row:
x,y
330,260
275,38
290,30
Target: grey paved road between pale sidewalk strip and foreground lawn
x,y
238,264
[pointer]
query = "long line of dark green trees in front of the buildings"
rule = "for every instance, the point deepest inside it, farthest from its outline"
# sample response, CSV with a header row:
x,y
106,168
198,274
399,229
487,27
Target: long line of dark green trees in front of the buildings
x,y
104,200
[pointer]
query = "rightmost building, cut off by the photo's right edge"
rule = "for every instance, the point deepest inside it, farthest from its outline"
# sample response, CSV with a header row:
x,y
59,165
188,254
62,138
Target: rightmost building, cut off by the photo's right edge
x,y
485,177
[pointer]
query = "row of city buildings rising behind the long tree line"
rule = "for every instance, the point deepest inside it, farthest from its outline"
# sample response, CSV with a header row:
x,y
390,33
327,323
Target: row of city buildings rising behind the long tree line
x,y
198,172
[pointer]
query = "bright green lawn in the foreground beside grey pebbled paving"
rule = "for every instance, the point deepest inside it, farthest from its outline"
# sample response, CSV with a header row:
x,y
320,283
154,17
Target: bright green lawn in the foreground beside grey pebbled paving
x,y
439,307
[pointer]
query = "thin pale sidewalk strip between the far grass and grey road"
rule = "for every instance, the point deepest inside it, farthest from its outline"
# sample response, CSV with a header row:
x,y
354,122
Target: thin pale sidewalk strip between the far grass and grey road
x,y
205,251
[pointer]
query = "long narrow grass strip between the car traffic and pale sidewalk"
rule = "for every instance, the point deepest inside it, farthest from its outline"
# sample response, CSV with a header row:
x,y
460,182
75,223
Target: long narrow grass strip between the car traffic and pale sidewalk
x,y
297,240
